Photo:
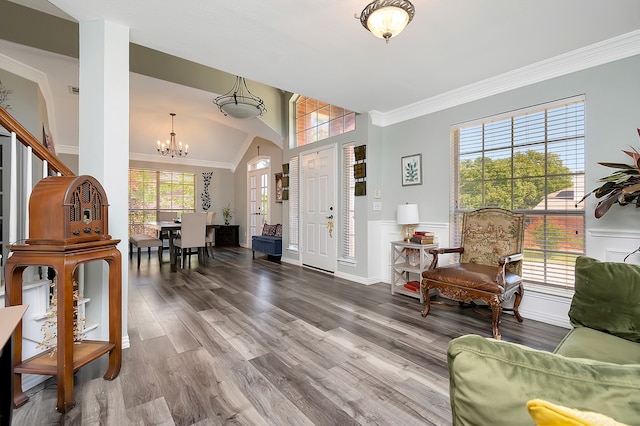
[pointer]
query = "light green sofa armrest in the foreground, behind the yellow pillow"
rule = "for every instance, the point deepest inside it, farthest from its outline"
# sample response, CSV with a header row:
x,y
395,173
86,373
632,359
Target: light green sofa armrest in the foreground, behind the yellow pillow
x,y
491,381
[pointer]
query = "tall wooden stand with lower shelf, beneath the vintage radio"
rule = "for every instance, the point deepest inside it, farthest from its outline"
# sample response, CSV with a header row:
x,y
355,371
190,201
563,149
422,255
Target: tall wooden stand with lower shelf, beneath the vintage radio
x,y
69,357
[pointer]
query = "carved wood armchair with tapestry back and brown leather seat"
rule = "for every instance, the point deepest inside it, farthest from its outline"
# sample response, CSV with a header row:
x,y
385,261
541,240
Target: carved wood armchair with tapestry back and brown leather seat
x,y
490,267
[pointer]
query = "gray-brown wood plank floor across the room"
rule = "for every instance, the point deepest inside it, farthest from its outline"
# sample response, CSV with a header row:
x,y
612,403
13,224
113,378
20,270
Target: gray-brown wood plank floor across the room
x,y
252,342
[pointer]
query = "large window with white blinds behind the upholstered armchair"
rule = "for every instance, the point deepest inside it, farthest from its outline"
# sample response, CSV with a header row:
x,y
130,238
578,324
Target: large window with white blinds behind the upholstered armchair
x,y
530,161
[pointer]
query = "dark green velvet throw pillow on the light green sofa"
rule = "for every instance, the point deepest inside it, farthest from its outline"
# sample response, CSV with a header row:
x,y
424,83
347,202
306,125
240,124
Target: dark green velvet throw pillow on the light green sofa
x,y
607,298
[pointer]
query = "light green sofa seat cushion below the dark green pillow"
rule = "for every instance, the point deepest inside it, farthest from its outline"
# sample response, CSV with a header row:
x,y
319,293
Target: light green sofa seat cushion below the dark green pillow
x,y
583,342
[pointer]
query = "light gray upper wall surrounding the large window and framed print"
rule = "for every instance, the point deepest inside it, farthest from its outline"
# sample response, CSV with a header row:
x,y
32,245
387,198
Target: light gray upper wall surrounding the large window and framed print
x,y
612,113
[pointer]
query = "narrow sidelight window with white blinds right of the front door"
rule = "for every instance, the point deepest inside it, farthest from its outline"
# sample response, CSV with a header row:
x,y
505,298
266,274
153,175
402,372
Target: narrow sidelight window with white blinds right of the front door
x,y
348,247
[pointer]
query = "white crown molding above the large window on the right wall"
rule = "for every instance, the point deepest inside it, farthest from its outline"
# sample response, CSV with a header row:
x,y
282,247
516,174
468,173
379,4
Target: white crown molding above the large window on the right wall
x,y
613,49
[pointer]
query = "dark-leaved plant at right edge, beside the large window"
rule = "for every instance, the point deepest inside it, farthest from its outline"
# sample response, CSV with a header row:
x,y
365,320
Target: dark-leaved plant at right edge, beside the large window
x,y
621,187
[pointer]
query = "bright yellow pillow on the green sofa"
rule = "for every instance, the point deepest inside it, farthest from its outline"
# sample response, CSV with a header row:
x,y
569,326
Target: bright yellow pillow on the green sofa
x,y
545,413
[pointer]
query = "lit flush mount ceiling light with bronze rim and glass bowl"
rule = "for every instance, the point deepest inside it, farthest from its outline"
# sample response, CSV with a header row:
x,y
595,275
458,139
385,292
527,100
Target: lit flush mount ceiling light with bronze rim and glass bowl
x,y
387,18
